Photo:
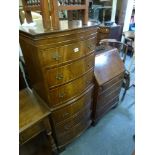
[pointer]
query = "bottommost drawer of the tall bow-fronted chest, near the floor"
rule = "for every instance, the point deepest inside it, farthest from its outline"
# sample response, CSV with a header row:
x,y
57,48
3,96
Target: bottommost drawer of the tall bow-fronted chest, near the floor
x,y
73,133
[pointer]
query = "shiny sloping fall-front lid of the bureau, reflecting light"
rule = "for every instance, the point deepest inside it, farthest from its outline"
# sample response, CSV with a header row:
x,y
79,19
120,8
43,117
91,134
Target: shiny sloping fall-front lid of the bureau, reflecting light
x,y
107,66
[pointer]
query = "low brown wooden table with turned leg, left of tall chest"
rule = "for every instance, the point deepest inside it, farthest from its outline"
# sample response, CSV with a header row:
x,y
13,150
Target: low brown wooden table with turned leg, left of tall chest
x,y
33,118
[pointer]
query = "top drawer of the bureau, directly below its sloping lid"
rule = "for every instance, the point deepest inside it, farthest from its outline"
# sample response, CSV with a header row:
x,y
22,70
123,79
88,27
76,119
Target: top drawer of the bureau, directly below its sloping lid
x,y
110,83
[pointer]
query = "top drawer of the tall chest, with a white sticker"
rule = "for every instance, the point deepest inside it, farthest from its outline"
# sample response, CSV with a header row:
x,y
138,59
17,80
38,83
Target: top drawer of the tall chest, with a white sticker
x,y
62,54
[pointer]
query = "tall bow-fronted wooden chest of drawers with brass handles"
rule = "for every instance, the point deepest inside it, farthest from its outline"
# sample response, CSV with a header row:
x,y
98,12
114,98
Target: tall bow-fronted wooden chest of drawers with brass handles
x,y
61,66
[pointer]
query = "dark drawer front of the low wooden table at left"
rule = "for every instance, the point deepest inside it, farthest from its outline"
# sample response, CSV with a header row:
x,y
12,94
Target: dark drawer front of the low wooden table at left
x,y
31,132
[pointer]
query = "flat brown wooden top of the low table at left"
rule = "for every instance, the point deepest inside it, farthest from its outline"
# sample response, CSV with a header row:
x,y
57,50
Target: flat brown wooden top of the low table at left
x,y
31,110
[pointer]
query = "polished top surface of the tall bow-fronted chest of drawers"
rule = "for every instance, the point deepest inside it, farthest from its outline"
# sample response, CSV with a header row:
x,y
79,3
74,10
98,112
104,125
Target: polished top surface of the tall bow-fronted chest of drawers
x,y
65,25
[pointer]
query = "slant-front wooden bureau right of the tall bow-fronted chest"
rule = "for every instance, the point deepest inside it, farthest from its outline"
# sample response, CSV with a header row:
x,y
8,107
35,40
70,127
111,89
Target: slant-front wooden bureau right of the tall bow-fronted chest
x,y
109,73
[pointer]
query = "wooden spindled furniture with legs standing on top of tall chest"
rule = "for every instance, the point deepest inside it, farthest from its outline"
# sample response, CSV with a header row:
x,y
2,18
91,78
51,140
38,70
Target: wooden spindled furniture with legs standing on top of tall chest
x,y
50,10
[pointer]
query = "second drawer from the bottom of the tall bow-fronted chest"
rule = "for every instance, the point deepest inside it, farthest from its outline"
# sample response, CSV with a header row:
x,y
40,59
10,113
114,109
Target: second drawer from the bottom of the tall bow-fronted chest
x,y
68,124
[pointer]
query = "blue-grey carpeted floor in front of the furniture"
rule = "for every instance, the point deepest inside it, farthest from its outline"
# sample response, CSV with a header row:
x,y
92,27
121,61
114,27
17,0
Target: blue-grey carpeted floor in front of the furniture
x,y
113,134
